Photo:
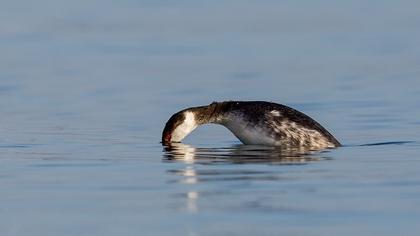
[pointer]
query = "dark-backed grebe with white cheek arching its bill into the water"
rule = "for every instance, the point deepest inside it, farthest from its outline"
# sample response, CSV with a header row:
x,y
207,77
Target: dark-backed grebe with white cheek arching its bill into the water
x,y
252,122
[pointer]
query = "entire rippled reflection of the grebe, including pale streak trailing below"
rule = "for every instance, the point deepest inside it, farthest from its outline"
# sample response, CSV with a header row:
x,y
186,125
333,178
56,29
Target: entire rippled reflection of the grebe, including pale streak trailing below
x,y
196,171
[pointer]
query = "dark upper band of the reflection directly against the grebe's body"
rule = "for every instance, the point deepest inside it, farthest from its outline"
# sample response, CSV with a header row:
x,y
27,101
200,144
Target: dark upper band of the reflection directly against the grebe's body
x,y
241,154
